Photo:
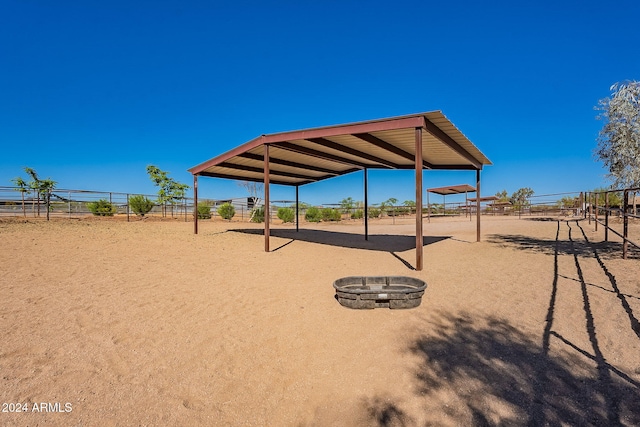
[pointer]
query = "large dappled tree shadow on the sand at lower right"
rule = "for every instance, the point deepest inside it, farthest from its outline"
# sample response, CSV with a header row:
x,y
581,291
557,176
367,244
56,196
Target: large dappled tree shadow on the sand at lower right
x,y
500,376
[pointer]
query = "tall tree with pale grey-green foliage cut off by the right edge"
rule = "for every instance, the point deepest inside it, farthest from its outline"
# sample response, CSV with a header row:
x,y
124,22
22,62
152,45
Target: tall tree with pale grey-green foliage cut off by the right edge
x,y
619,139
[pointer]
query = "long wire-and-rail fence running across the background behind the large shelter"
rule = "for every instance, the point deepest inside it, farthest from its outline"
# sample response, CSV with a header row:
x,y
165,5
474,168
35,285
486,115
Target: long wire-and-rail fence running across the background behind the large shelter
x,y
612,209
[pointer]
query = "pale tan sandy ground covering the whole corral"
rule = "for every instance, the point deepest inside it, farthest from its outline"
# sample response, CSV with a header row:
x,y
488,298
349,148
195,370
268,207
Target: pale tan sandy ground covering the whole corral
x,y
143,323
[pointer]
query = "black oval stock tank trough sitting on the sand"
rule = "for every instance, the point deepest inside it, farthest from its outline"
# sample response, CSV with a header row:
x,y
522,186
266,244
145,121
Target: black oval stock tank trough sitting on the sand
x,y
366,292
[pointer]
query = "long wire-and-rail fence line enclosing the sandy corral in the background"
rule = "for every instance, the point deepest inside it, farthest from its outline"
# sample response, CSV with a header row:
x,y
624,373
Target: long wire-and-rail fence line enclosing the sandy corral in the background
x,y
600,207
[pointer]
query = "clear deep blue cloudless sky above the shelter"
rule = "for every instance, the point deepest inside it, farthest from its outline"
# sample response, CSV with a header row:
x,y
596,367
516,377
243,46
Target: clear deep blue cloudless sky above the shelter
x,y
93,92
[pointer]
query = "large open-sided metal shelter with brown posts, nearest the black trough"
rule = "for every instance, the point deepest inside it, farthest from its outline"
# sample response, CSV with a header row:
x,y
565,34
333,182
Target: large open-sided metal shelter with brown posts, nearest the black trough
x,y
418,141
